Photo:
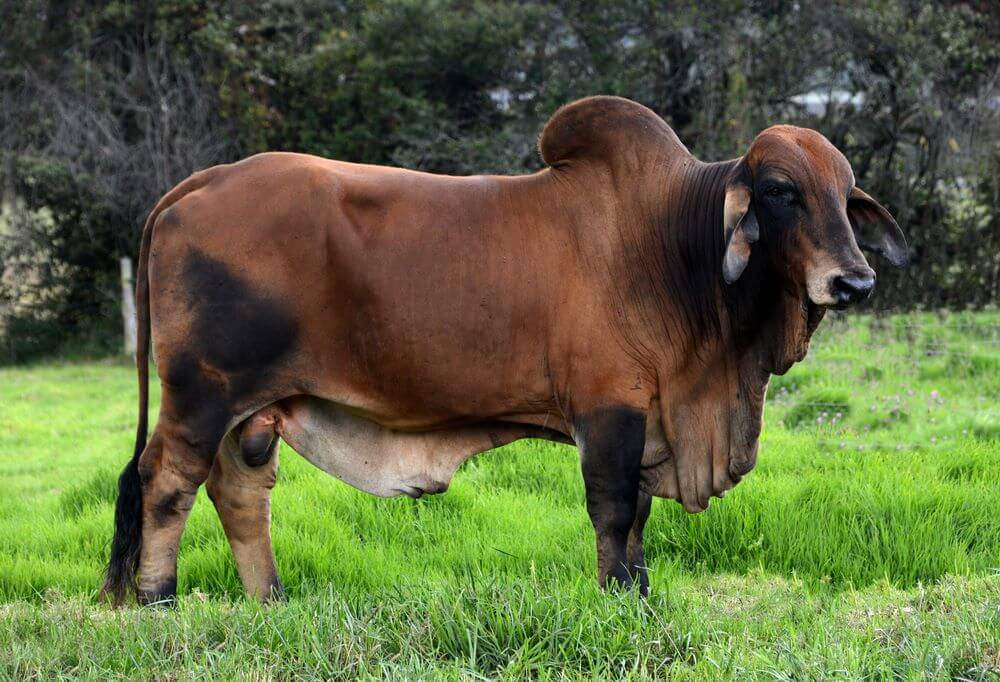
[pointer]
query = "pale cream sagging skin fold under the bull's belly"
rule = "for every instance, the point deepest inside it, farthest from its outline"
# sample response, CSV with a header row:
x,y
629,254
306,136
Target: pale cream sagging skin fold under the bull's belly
x,y
380,460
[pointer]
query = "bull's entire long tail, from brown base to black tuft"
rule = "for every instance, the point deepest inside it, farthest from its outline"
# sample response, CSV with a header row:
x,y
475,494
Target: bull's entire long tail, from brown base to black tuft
x,y
123,564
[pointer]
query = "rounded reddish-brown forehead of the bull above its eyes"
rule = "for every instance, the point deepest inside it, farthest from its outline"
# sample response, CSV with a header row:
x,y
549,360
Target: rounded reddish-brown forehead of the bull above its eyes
x,y
804,156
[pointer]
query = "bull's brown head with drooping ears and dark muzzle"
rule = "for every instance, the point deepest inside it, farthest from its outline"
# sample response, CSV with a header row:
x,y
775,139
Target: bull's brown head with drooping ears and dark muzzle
x,y
795,193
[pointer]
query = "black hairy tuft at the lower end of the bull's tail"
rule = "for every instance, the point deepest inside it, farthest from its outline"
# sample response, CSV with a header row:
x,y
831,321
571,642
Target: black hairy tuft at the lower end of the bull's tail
x,y
123,564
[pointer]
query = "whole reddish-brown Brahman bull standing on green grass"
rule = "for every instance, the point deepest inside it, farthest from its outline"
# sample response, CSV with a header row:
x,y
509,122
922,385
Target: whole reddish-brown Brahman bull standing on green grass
x,y
389,324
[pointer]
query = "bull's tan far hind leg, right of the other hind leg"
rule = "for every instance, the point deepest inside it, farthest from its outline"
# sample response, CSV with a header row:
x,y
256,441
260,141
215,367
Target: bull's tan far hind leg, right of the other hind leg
x,y
240,485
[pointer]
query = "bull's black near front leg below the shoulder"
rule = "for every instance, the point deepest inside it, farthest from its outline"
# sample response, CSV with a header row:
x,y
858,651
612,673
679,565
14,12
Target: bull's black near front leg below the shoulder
x,y
611,442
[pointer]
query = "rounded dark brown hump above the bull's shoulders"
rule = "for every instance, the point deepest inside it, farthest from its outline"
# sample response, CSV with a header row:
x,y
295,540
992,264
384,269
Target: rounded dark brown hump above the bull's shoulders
x,y
605,128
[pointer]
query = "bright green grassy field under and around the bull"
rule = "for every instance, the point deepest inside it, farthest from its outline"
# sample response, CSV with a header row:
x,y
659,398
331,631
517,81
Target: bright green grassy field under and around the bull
x,y
866,544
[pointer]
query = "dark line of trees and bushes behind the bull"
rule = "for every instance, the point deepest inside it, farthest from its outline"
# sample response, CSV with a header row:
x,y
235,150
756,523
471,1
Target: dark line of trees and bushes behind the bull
x,y
104,106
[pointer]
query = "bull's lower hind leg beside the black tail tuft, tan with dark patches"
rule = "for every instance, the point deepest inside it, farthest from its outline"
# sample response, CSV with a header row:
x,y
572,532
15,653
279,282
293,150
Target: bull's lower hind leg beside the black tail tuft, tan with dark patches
x,y
171,468
